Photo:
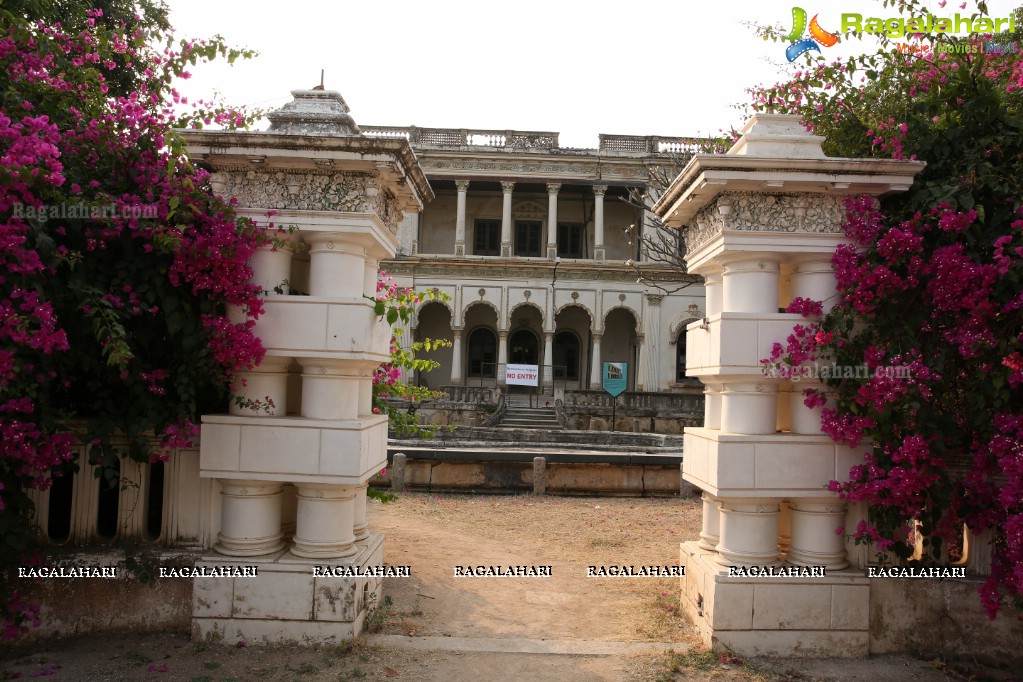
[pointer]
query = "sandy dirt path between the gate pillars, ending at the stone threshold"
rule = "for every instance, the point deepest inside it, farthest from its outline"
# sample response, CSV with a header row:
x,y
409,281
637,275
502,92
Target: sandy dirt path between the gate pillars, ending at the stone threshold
x,y
567,535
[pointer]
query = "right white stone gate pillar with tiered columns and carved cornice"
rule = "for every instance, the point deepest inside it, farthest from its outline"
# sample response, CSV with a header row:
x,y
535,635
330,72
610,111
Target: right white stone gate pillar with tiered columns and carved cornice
x,y
771,572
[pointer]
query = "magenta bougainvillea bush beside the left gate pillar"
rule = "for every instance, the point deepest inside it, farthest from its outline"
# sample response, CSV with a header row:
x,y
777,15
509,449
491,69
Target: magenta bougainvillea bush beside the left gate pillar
x,y
118,260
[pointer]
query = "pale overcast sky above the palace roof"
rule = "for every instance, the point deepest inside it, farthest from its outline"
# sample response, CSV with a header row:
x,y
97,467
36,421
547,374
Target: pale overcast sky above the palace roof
x,y
637,68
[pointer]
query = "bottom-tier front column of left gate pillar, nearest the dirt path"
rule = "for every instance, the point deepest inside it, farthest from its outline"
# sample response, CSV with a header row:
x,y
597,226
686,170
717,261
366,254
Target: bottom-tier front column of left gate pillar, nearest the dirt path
x,y
326,524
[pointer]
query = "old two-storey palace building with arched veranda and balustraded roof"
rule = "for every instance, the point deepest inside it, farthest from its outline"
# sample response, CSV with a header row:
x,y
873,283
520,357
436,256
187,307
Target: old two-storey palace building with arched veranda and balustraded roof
x,y
538,251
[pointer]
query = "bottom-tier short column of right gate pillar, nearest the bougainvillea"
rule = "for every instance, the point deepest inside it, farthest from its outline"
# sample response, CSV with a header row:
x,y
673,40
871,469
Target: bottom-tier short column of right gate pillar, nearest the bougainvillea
x,y
815,541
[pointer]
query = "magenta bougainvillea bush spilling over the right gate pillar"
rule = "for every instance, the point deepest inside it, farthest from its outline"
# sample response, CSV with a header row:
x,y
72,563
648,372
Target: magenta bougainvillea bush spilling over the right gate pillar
x,y
931,291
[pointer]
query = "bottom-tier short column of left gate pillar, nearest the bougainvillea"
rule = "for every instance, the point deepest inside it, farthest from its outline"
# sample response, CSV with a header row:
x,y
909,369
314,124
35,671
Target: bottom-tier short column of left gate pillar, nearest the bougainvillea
x,y
250,523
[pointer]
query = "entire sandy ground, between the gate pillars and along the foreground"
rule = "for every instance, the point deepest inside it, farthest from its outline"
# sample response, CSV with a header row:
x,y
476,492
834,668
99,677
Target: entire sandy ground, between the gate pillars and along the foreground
x,y
566,627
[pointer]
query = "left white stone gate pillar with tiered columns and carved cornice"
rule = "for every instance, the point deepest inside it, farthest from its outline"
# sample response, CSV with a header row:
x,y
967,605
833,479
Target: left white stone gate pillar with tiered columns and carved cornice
x,y
341,197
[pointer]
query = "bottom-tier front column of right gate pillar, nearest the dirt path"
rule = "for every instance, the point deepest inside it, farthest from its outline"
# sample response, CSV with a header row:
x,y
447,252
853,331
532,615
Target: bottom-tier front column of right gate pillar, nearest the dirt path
x,y
749,532
